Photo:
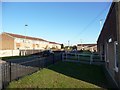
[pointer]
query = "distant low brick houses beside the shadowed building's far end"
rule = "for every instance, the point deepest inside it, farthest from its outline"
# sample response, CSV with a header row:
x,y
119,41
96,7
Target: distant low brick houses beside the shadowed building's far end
x,y
90,47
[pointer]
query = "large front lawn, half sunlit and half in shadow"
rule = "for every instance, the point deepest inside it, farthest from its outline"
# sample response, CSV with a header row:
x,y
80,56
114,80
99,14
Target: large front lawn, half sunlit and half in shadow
x,y
64,75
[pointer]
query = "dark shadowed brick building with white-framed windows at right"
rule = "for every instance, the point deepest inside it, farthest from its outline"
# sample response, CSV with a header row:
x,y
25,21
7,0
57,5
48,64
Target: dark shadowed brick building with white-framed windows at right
x,y
109,42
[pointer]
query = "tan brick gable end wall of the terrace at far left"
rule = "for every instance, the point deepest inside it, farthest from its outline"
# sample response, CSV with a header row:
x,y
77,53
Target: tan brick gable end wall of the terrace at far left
x,y
6,42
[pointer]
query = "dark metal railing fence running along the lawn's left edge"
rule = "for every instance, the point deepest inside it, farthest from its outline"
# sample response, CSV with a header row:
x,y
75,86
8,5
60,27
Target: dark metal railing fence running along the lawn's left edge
x,y
13,71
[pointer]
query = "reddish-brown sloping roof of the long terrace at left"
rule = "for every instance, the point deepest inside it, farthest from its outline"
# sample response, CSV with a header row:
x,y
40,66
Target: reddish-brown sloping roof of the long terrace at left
x,y
27,37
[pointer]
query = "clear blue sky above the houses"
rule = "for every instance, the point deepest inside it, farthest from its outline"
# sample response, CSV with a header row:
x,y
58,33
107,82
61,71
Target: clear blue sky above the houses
x,y
77,22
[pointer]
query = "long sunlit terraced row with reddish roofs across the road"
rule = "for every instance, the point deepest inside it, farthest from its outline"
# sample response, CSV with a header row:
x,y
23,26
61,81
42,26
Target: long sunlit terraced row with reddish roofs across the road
x,y
11,41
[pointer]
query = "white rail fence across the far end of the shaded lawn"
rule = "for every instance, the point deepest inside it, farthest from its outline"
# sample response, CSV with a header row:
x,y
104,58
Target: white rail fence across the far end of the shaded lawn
x,y
78,57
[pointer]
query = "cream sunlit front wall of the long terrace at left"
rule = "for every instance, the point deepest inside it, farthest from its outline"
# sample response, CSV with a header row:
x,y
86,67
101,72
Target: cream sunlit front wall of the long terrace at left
x,y
21,44
